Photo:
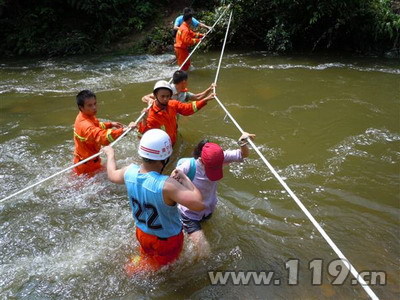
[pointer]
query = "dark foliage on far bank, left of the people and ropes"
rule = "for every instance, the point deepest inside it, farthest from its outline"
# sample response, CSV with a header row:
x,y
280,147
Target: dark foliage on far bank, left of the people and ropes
x,y
58,27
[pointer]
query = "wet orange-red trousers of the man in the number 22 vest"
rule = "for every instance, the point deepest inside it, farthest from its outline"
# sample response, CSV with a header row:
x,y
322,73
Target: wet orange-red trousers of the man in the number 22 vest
x,y
155,252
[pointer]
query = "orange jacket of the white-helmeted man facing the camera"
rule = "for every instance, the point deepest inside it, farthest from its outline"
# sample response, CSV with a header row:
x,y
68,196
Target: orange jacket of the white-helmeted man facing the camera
x,y
165,119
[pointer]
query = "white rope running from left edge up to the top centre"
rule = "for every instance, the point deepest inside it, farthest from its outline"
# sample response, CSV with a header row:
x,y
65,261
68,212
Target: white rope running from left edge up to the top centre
x,y
119,138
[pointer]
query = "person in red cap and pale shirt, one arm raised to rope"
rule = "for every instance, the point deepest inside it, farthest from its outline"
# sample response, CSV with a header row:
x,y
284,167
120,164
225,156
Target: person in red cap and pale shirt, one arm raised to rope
x,y
205,169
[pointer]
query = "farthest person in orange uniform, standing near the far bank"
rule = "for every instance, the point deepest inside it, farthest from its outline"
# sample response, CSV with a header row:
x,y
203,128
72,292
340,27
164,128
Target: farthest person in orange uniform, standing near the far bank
x,y
184,39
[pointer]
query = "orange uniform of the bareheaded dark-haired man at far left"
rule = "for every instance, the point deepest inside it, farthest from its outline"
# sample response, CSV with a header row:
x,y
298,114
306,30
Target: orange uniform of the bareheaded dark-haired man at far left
x,y
89,135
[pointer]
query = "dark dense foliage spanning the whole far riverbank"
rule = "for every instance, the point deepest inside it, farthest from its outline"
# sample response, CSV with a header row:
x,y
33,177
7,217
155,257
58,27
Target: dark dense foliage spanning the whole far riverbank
x,y
60,27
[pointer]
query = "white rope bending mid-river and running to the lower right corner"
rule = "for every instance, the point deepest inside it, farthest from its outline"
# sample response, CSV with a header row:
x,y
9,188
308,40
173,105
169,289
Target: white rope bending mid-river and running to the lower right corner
x,y
339,253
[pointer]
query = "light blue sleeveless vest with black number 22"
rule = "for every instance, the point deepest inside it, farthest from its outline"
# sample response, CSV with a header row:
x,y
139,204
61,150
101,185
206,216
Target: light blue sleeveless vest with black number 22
x,y
151,213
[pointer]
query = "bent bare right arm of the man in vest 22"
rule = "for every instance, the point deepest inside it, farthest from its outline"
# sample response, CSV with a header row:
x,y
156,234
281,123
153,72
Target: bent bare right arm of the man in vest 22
x,y
181,190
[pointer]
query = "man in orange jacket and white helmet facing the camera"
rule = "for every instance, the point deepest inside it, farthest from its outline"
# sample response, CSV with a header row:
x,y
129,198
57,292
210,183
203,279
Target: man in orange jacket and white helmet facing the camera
x,y
163,112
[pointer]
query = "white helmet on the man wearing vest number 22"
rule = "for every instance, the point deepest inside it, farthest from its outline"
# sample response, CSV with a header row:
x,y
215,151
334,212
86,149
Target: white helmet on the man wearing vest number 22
x,y
155,144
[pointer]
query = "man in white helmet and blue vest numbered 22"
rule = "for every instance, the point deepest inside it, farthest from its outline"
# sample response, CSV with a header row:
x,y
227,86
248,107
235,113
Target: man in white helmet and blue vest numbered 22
x,y
153,198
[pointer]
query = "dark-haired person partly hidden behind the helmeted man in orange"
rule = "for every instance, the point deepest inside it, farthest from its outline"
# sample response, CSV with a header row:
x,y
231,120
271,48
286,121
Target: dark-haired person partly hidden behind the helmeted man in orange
x,y
180,91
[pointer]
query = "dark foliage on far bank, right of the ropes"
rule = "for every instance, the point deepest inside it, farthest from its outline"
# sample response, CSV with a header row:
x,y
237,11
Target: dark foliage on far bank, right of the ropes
x,y
367,26
